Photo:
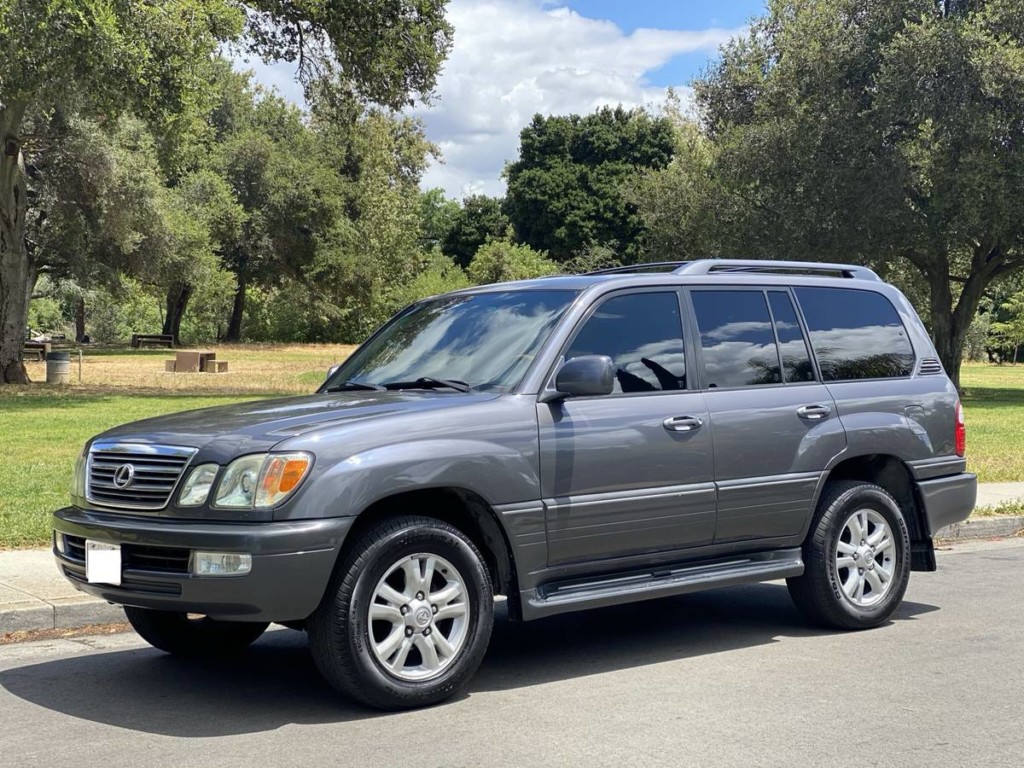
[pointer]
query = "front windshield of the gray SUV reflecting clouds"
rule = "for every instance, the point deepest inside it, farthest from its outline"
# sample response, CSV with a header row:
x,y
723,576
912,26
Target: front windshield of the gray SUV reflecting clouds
x,y
486,342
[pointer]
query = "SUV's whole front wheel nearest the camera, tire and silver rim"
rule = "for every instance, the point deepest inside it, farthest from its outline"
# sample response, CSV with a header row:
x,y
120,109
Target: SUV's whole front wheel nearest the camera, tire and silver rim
x,y
408,617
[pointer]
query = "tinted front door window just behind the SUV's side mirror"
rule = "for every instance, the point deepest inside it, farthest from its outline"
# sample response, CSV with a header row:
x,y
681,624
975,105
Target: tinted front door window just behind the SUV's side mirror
x,y
644,336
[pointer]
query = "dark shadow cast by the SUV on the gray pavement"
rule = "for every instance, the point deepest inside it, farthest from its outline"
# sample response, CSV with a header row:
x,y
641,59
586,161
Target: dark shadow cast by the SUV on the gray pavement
x,y
276,684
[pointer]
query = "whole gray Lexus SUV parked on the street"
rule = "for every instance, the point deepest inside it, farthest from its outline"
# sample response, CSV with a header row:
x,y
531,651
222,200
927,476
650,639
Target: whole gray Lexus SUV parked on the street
x,y
569,443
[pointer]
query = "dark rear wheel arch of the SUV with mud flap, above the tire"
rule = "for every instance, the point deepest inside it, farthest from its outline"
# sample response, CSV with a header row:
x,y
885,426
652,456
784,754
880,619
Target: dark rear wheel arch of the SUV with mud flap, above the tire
x,y
895,477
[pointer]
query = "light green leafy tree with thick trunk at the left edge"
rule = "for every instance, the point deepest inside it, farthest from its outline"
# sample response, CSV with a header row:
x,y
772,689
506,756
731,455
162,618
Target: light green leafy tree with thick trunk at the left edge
x,y
101,56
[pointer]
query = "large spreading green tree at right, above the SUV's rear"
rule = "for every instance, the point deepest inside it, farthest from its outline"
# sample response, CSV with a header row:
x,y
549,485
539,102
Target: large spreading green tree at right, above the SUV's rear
x,y
885,133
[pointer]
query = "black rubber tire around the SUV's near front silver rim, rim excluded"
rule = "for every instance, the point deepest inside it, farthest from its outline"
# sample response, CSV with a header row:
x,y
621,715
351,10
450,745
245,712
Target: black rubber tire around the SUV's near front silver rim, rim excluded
x,y
340,629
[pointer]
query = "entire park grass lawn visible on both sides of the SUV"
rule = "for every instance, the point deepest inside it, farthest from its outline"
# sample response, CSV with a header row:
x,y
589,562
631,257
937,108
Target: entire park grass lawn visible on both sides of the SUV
x,y
44,429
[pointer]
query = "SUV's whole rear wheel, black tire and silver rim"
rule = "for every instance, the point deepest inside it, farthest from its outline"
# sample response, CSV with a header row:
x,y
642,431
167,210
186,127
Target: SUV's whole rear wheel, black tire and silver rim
x,y
857,559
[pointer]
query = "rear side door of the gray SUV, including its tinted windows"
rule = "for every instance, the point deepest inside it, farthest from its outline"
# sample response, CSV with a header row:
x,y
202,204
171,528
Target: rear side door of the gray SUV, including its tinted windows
x,y
774,422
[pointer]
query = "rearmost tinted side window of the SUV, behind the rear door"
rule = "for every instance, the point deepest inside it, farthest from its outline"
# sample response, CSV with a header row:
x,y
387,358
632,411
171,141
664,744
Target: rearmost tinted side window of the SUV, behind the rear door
x,y
856,334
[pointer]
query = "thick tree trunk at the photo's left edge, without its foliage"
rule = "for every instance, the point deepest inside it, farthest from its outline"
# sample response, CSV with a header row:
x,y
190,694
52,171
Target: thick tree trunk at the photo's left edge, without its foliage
x,y
18,272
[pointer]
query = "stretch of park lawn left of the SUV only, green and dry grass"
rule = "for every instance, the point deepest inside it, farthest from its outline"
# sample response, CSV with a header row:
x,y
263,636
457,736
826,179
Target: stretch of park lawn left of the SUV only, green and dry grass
x,y
44,429
